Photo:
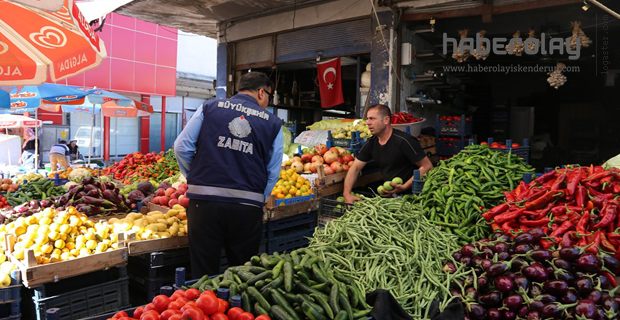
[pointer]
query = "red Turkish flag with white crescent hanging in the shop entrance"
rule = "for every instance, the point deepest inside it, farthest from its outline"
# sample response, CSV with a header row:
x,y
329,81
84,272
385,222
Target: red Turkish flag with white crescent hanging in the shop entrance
x,y
330,83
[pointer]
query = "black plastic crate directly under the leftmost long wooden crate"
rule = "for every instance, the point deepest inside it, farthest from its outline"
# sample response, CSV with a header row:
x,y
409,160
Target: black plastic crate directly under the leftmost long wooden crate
x,y
88,301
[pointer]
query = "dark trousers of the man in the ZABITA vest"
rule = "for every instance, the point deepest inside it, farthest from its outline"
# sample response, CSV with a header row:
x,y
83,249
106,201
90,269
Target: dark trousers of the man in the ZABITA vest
x,y
215,225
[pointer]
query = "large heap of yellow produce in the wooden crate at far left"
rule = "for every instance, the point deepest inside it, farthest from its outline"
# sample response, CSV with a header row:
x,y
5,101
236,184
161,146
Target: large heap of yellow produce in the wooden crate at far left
x,y
59,235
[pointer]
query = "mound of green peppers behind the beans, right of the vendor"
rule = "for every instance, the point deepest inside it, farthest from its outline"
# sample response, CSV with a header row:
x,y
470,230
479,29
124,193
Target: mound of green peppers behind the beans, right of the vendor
x,y
458,190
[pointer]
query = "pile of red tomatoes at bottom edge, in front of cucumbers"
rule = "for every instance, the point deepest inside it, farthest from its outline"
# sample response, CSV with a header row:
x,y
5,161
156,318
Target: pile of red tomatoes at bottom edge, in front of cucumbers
x,y
188,304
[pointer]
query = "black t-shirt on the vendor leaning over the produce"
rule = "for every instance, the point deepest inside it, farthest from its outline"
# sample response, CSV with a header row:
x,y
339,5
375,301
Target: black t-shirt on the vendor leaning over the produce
x,y
397,158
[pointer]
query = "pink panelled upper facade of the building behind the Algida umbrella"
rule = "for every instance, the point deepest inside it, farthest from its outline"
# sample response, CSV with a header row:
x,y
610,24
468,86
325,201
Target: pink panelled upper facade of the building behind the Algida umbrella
x,y
142,58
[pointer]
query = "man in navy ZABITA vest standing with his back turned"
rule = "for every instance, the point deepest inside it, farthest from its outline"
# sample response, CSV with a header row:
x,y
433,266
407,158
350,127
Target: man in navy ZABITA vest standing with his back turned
x,y
231,153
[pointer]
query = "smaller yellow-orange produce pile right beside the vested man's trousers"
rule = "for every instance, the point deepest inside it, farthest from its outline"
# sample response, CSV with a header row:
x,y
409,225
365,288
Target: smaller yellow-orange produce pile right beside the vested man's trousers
x,y
153,225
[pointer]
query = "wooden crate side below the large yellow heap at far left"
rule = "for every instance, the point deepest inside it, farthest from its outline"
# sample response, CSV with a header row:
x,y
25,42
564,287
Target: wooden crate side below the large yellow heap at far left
x,y
34,274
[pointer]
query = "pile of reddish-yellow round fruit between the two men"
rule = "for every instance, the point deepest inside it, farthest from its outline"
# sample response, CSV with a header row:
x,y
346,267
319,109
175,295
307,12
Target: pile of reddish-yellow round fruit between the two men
x,y
333,160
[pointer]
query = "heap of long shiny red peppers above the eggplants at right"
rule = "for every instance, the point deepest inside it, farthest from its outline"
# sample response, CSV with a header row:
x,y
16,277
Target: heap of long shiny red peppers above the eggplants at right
x,y
574,206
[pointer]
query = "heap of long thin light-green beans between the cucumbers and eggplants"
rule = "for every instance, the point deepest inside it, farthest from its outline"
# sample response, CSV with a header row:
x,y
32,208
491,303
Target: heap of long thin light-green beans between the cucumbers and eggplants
x,y
389,244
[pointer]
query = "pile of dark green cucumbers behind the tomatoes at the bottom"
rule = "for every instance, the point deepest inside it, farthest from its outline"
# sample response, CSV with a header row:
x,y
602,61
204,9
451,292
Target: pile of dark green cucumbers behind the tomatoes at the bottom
x,y
291,286
